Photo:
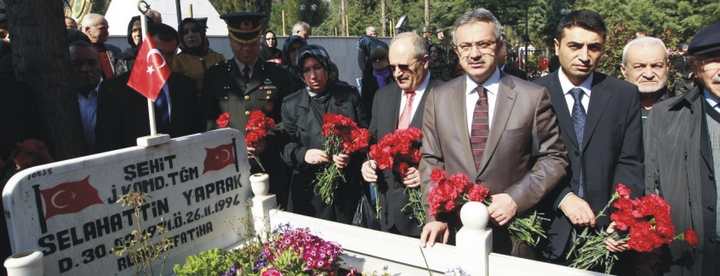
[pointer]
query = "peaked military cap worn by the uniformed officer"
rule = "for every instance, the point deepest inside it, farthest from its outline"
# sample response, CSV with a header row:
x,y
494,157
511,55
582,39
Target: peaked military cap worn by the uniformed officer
x,y
244,27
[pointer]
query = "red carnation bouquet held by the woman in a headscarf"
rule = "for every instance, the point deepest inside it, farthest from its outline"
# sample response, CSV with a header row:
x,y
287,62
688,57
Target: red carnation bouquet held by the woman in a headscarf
x,y
342,135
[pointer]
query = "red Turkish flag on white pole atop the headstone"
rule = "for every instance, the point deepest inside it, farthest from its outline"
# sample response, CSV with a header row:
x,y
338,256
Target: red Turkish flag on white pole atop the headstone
x,y
150,70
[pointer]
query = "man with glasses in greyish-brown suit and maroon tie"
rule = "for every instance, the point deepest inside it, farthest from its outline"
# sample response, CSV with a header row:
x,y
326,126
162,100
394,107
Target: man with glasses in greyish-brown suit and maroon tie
x,y
495,128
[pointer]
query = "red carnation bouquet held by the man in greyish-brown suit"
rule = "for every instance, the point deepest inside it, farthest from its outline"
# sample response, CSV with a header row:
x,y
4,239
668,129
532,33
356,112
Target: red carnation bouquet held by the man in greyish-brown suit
x,y
451,192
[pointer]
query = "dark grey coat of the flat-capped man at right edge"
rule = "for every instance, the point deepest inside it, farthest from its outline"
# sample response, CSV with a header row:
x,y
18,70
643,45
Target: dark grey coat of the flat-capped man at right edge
x,y
679,166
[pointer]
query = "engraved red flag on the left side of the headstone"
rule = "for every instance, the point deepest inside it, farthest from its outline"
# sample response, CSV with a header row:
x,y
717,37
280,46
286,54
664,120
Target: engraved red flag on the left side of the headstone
x,y
69,197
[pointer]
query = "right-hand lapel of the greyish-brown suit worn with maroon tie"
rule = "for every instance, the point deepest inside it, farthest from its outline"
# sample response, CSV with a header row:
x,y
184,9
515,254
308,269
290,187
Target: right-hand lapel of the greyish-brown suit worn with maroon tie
x,y
504,102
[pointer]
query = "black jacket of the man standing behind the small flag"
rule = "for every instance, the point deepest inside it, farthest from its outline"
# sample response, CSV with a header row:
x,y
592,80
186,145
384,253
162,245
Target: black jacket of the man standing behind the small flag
x,y
122,114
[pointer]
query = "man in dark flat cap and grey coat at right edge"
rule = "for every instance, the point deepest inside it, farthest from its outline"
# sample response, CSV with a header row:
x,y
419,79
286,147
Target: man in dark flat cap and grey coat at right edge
x,y
683,161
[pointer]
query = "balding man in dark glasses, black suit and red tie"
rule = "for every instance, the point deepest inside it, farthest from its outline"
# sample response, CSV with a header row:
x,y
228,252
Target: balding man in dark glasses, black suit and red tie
x,y
399,105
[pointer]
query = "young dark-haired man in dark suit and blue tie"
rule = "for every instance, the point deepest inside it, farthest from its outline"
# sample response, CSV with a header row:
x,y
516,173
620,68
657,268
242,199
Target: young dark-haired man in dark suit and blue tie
x,y
604,144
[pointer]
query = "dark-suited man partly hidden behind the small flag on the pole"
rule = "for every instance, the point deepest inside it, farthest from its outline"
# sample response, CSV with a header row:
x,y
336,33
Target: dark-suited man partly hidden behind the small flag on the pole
x,y
122,114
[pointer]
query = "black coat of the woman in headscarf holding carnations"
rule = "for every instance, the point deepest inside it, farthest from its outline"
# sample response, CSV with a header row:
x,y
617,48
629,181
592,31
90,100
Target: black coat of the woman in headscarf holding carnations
x,y
304,131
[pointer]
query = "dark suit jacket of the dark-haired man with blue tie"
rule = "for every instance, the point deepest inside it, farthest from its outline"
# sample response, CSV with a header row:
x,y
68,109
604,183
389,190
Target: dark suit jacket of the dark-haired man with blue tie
x,y
612,150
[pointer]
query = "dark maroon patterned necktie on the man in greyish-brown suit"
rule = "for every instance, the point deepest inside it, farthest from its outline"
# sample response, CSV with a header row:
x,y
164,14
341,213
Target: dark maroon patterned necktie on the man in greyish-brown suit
x,y
480,128
